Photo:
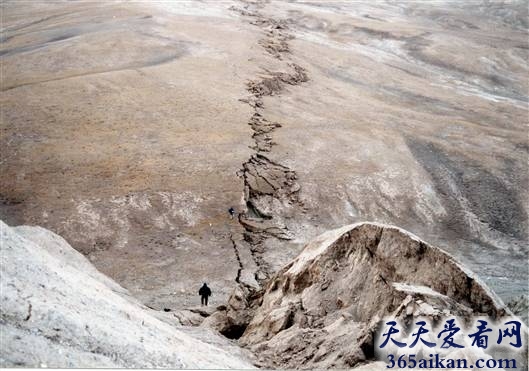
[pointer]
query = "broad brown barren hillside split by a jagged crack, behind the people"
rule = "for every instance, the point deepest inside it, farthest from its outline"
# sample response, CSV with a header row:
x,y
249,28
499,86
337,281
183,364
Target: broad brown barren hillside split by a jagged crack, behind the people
x,y
131,128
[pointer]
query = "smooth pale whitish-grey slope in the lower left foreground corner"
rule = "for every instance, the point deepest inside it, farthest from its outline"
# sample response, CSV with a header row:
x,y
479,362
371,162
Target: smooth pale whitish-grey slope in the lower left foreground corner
x,y
58,311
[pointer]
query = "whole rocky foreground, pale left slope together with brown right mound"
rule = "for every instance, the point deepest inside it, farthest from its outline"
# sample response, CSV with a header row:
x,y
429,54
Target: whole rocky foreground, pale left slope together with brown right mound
x,y
322,310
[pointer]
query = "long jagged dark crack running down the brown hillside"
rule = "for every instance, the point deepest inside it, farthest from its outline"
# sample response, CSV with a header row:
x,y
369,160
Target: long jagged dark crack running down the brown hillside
x,y
268,185
